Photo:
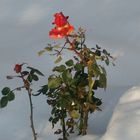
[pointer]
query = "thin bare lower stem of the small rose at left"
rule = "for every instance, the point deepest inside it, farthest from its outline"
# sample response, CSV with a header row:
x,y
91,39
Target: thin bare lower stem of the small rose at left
x,y
31,116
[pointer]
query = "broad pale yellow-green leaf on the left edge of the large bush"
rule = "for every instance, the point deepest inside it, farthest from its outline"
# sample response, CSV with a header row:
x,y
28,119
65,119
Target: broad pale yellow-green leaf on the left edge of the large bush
x,y
54,82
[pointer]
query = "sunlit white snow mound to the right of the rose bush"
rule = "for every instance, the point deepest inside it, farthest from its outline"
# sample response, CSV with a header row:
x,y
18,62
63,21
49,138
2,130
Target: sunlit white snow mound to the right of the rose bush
x,y
125,122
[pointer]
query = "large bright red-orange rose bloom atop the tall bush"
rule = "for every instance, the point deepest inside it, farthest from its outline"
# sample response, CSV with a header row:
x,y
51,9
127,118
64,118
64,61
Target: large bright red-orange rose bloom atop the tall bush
x,y
62,26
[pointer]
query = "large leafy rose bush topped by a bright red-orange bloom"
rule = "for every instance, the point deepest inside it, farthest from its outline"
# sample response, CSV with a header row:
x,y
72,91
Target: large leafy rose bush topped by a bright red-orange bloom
x,y
71,88
